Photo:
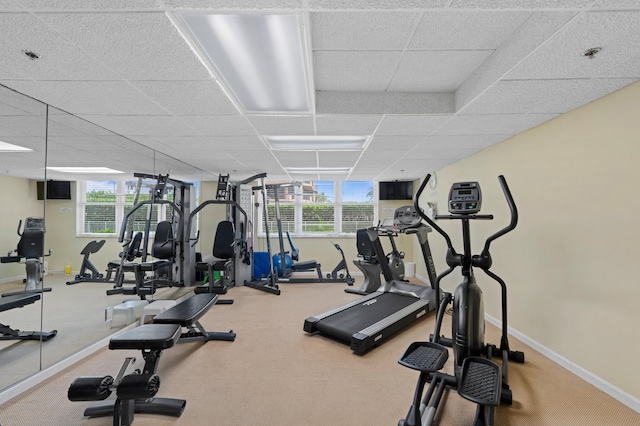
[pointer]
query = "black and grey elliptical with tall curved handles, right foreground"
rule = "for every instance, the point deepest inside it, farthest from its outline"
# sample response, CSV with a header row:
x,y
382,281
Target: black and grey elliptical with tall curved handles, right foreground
x,y
476,377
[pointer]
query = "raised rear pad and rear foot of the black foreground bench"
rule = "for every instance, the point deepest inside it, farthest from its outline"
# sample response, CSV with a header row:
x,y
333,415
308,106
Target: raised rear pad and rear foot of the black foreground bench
x,y
186,314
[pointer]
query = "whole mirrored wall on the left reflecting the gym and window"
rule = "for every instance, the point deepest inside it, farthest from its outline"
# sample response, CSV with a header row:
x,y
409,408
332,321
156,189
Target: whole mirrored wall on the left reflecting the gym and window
x,y
56,146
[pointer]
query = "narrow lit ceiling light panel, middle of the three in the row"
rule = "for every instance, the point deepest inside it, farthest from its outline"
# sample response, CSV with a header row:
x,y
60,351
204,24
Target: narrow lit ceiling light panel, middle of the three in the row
x,y
316,143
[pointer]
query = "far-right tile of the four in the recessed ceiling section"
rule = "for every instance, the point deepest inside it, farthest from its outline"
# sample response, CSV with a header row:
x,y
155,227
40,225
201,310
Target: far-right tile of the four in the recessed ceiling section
x,y
436,71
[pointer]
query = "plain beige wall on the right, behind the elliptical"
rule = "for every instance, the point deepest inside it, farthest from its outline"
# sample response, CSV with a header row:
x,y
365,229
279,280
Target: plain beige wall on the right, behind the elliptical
x,y
569,263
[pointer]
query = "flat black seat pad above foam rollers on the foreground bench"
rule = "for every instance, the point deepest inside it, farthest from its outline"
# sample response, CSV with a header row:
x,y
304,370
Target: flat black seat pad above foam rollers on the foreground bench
x,y
147,336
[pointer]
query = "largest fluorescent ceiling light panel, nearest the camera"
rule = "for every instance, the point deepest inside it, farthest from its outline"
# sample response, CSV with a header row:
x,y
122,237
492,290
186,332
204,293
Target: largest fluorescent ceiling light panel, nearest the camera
x,y
260,57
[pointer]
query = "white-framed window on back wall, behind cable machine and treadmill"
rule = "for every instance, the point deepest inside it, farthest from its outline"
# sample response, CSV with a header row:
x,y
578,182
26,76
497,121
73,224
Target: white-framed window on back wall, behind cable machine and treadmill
x,y
321,207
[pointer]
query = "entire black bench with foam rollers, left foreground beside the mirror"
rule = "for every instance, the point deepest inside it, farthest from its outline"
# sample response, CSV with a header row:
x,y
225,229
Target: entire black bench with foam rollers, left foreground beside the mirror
x,y
135,392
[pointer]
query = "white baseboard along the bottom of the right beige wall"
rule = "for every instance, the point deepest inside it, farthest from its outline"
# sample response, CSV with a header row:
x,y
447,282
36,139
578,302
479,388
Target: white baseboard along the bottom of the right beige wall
x,y
608,388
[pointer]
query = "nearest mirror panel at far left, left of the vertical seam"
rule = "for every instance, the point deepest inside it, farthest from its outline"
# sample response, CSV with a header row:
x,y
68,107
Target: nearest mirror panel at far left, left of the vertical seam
x,y
22,166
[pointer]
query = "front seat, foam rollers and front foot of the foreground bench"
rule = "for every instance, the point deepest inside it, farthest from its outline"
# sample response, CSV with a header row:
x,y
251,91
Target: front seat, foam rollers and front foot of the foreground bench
x,y
136,391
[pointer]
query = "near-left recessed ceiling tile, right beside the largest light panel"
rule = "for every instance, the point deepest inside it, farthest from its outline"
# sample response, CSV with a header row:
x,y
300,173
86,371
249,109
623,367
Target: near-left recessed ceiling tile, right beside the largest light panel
x,y
362,30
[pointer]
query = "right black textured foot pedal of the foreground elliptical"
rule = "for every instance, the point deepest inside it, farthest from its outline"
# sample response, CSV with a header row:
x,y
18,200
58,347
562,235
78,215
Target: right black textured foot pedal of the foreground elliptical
x,y
480,381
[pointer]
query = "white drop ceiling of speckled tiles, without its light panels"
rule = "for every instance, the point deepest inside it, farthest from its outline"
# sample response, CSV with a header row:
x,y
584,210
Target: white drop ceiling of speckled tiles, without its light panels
x,y
427,82
